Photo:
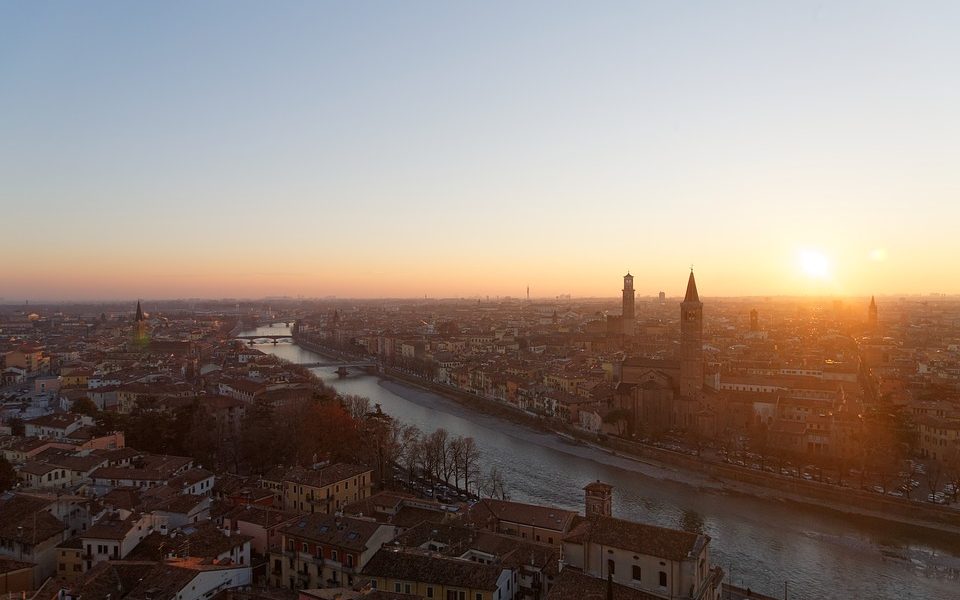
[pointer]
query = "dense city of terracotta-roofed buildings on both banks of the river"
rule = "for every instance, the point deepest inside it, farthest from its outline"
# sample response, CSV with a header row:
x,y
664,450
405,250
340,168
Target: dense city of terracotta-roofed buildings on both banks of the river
x,y
167,448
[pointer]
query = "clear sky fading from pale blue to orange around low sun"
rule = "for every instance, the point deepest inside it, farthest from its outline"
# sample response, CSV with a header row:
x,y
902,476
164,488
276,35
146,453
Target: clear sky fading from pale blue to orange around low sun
x,y
452,149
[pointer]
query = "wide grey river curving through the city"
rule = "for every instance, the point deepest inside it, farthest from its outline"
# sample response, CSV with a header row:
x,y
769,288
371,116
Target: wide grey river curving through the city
x,y
761,543
